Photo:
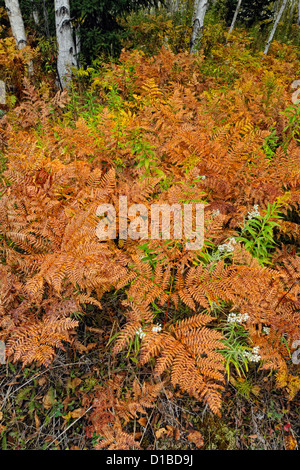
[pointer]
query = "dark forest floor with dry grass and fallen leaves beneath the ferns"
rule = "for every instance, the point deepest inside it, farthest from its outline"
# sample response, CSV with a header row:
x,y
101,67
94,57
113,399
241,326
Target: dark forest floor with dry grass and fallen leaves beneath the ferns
x,y
49,408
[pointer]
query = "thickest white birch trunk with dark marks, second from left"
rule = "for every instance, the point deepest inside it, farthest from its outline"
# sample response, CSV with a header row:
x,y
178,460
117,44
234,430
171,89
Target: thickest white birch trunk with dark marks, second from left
x,y
66,47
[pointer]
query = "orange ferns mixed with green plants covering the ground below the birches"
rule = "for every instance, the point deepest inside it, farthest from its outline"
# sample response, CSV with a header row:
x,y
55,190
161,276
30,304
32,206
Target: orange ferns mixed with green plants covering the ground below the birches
x,y
141,343
